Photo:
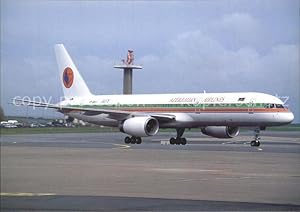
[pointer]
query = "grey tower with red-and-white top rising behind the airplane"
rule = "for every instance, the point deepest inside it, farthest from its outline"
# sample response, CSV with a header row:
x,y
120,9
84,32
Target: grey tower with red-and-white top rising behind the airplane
x,y
128,68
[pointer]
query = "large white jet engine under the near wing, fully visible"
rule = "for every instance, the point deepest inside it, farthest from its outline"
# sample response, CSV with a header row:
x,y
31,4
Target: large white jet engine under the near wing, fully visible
x,y
140,126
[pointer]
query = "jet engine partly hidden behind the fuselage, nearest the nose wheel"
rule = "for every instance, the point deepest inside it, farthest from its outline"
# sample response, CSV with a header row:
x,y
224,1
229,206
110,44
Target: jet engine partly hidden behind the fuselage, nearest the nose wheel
x,y
221,131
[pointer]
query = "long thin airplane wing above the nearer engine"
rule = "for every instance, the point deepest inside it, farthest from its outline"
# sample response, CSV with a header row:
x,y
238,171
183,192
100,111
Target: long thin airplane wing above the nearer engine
x,y
113,114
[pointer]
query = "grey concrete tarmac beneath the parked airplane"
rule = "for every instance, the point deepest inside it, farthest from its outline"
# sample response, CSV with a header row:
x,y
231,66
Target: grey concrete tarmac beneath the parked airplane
x,y
97,171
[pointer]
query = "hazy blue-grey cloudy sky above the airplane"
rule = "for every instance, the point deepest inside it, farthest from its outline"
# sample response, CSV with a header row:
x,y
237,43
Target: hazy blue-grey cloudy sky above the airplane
x,y
184,46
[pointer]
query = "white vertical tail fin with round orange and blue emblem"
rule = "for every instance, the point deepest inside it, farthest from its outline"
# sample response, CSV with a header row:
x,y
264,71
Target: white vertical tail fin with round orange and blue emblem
x,y
72,83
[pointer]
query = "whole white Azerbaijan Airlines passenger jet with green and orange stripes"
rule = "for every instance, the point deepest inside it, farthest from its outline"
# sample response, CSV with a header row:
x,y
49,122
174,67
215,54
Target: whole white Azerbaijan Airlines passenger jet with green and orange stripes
x,y
220,115
